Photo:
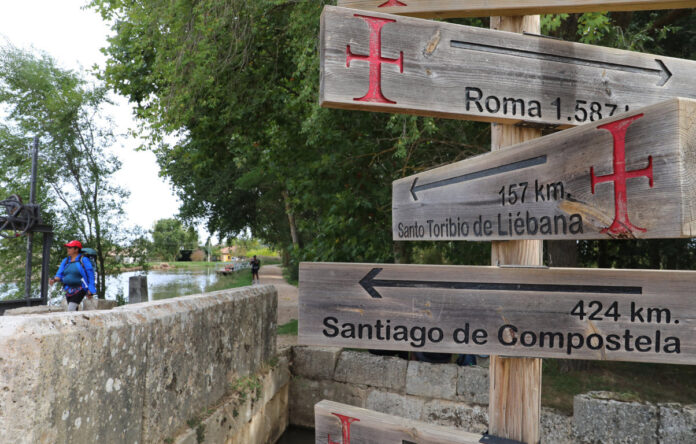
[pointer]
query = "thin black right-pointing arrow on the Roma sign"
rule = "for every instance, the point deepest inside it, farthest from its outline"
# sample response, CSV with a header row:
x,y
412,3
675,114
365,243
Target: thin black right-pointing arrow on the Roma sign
x,y
662,71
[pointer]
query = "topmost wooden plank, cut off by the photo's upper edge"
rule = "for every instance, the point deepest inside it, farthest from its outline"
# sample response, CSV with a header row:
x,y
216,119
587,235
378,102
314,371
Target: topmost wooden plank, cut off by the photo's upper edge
x,y
480,8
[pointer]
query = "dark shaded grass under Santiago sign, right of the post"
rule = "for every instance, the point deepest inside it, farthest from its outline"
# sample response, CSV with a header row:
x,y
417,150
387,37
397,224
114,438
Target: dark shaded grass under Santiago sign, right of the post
x,y
631,382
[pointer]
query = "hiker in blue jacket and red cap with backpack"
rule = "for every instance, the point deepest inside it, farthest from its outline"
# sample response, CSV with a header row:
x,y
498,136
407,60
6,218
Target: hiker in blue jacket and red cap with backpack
x,y
76,274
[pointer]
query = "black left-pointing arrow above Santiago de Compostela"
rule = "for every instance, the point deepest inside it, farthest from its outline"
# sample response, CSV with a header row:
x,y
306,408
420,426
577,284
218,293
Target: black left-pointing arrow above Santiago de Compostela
x,y
369,283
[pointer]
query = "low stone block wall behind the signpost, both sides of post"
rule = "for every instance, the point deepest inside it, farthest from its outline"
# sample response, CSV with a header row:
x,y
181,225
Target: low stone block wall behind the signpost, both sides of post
x,y
455,396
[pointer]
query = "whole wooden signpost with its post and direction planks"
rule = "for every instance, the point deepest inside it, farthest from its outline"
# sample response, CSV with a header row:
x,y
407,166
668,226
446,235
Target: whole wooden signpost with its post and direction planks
x,y
636,166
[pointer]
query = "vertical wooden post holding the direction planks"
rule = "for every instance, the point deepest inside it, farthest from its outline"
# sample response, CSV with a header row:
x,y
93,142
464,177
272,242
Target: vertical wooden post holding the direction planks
x,y
515,383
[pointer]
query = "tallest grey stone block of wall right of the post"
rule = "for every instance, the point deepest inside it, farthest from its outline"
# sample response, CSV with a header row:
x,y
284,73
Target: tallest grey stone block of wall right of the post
x,y
598,418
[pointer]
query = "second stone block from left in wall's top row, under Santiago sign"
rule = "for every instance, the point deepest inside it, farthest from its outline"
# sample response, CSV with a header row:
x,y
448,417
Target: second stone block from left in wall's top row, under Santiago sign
x,y
368,369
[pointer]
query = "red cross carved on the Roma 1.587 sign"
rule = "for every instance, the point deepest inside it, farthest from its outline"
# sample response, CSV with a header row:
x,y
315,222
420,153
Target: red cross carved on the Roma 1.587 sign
x,y
374,93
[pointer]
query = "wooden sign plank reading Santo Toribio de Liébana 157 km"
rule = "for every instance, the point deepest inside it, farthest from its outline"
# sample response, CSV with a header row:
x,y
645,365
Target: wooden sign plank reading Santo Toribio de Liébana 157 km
x,y
626,177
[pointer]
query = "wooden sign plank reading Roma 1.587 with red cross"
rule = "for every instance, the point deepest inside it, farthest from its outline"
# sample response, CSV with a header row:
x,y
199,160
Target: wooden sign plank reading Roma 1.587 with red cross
x,y
382,62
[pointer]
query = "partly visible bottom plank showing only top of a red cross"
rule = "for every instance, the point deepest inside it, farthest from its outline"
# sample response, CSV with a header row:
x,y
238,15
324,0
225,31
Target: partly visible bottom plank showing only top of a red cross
x,y
344,424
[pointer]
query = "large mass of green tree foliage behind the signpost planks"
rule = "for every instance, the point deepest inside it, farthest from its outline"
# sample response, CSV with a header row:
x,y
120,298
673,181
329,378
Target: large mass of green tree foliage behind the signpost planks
x,y
237,82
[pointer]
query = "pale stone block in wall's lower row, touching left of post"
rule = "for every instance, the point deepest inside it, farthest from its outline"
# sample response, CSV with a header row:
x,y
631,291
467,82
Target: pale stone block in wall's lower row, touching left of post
x,y
473,419
